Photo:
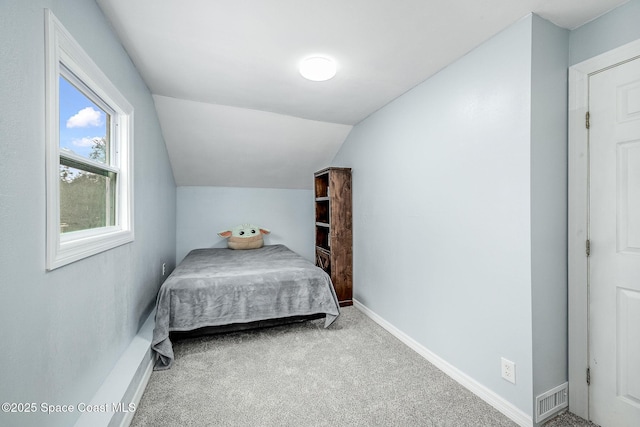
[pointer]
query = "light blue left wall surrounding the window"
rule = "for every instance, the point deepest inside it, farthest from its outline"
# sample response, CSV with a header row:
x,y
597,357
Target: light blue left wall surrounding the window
x,y
63,331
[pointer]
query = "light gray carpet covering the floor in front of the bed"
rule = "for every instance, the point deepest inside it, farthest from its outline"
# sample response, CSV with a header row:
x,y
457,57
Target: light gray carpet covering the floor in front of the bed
x,y
352,374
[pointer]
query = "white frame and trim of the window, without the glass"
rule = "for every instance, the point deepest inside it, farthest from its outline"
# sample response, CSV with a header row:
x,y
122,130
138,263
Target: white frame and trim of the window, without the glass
x,y
65,248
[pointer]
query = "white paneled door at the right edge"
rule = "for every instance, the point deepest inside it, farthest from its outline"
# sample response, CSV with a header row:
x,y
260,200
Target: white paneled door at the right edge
x,y
614,233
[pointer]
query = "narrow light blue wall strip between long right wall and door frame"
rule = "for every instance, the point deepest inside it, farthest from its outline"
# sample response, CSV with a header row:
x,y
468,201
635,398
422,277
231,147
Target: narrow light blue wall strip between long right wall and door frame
x,y
550,52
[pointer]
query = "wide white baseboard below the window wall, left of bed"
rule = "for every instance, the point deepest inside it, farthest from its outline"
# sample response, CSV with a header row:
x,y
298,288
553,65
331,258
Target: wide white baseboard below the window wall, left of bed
x,y
125,384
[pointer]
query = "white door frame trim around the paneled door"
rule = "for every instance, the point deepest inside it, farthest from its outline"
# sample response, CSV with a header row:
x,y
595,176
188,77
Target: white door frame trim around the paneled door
x,y
577,233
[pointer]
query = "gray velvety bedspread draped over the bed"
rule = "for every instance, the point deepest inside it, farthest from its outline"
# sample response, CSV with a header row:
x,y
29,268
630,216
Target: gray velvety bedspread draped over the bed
x,y
213,287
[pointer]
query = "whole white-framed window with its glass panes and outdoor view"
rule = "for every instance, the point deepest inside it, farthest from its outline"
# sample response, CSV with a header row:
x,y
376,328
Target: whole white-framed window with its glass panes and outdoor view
x,y
89,154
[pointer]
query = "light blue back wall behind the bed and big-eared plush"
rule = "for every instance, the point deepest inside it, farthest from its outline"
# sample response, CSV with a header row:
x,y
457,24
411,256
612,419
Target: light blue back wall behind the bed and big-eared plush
x,y
204,211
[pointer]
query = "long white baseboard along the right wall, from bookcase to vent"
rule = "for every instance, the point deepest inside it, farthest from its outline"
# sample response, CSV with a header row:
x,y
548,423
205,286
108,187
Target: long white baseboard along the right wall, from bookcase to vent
x,y
493,399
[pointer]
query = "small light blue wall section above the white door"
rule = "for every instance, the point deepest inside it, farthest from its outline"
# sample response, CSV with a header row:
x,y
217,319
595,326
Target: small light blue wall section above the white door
x,y
614,29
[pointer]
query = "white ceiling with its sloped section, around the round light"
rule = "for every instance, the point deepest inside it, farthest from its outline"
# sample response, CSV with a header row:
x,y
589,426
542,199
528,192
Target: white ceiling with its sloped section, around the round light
x,y
233,108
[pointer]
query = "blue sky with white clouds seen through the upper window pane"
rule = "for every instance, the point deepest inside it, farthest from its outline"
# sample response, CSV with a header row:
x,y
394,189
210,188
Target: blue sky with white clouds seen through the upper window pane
x,y
80,120
